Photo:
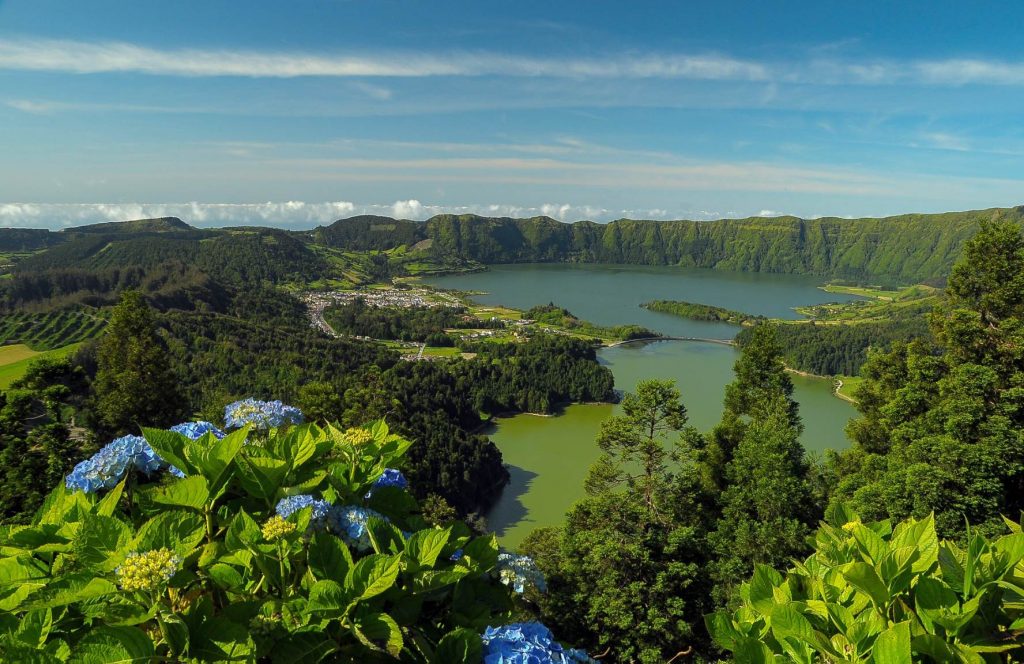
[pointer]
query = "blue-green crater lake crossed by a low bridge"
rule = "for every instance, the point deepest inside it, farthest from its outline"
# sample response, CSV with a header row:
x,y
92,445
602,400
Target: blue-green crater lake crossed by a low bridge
x,y
548,458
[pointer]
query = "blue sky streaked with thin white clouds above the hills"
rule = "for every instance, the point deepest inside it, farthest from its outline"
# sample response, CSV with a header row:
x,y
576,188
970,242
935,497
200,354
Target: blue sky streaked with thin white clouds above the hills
x,y
298,113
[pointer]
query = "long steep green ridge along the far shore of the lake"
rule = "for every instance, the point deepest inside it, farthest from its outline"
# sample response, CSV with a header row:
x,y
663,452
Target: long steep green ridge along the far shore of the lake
x,y
909,248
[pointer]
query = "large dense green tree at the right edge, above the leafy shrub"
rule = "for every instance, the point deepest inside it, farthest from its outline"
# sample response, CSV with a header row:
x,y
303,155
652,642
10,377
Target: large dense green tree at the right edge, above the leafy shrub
x,y
942,426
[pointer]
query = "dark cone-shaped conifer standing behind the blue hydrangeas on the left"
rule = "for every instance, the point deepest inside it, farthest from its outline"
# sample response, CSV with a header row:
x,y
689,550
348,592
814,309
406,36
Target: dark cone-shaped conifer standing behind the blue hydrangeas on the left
x,y
135,383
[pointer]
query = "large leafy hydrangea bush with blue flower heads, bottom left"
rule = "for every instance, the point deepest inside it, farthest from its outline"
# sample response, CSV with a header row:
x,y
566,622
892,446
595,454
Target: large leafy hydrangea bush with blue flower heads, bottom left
x,y
297,545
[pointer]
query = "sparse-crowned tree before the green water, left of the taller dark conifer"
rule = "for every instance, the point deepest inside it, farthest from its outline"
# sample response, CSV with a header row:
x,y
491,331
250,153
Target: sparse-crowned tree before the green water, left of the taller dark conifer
x,y
627,572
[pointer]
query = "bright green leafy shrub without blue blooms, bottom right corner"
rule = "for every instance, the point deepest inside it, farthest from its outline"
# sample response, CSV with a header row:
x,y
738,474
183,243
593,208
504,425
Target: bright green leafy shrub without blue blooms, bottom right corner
x,y
882,594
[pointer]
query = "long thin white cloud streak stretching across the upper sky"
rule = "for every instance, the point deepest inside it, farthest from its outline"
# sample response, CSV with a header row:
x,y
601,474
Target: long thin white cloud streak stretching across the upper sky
x,y
98,58
